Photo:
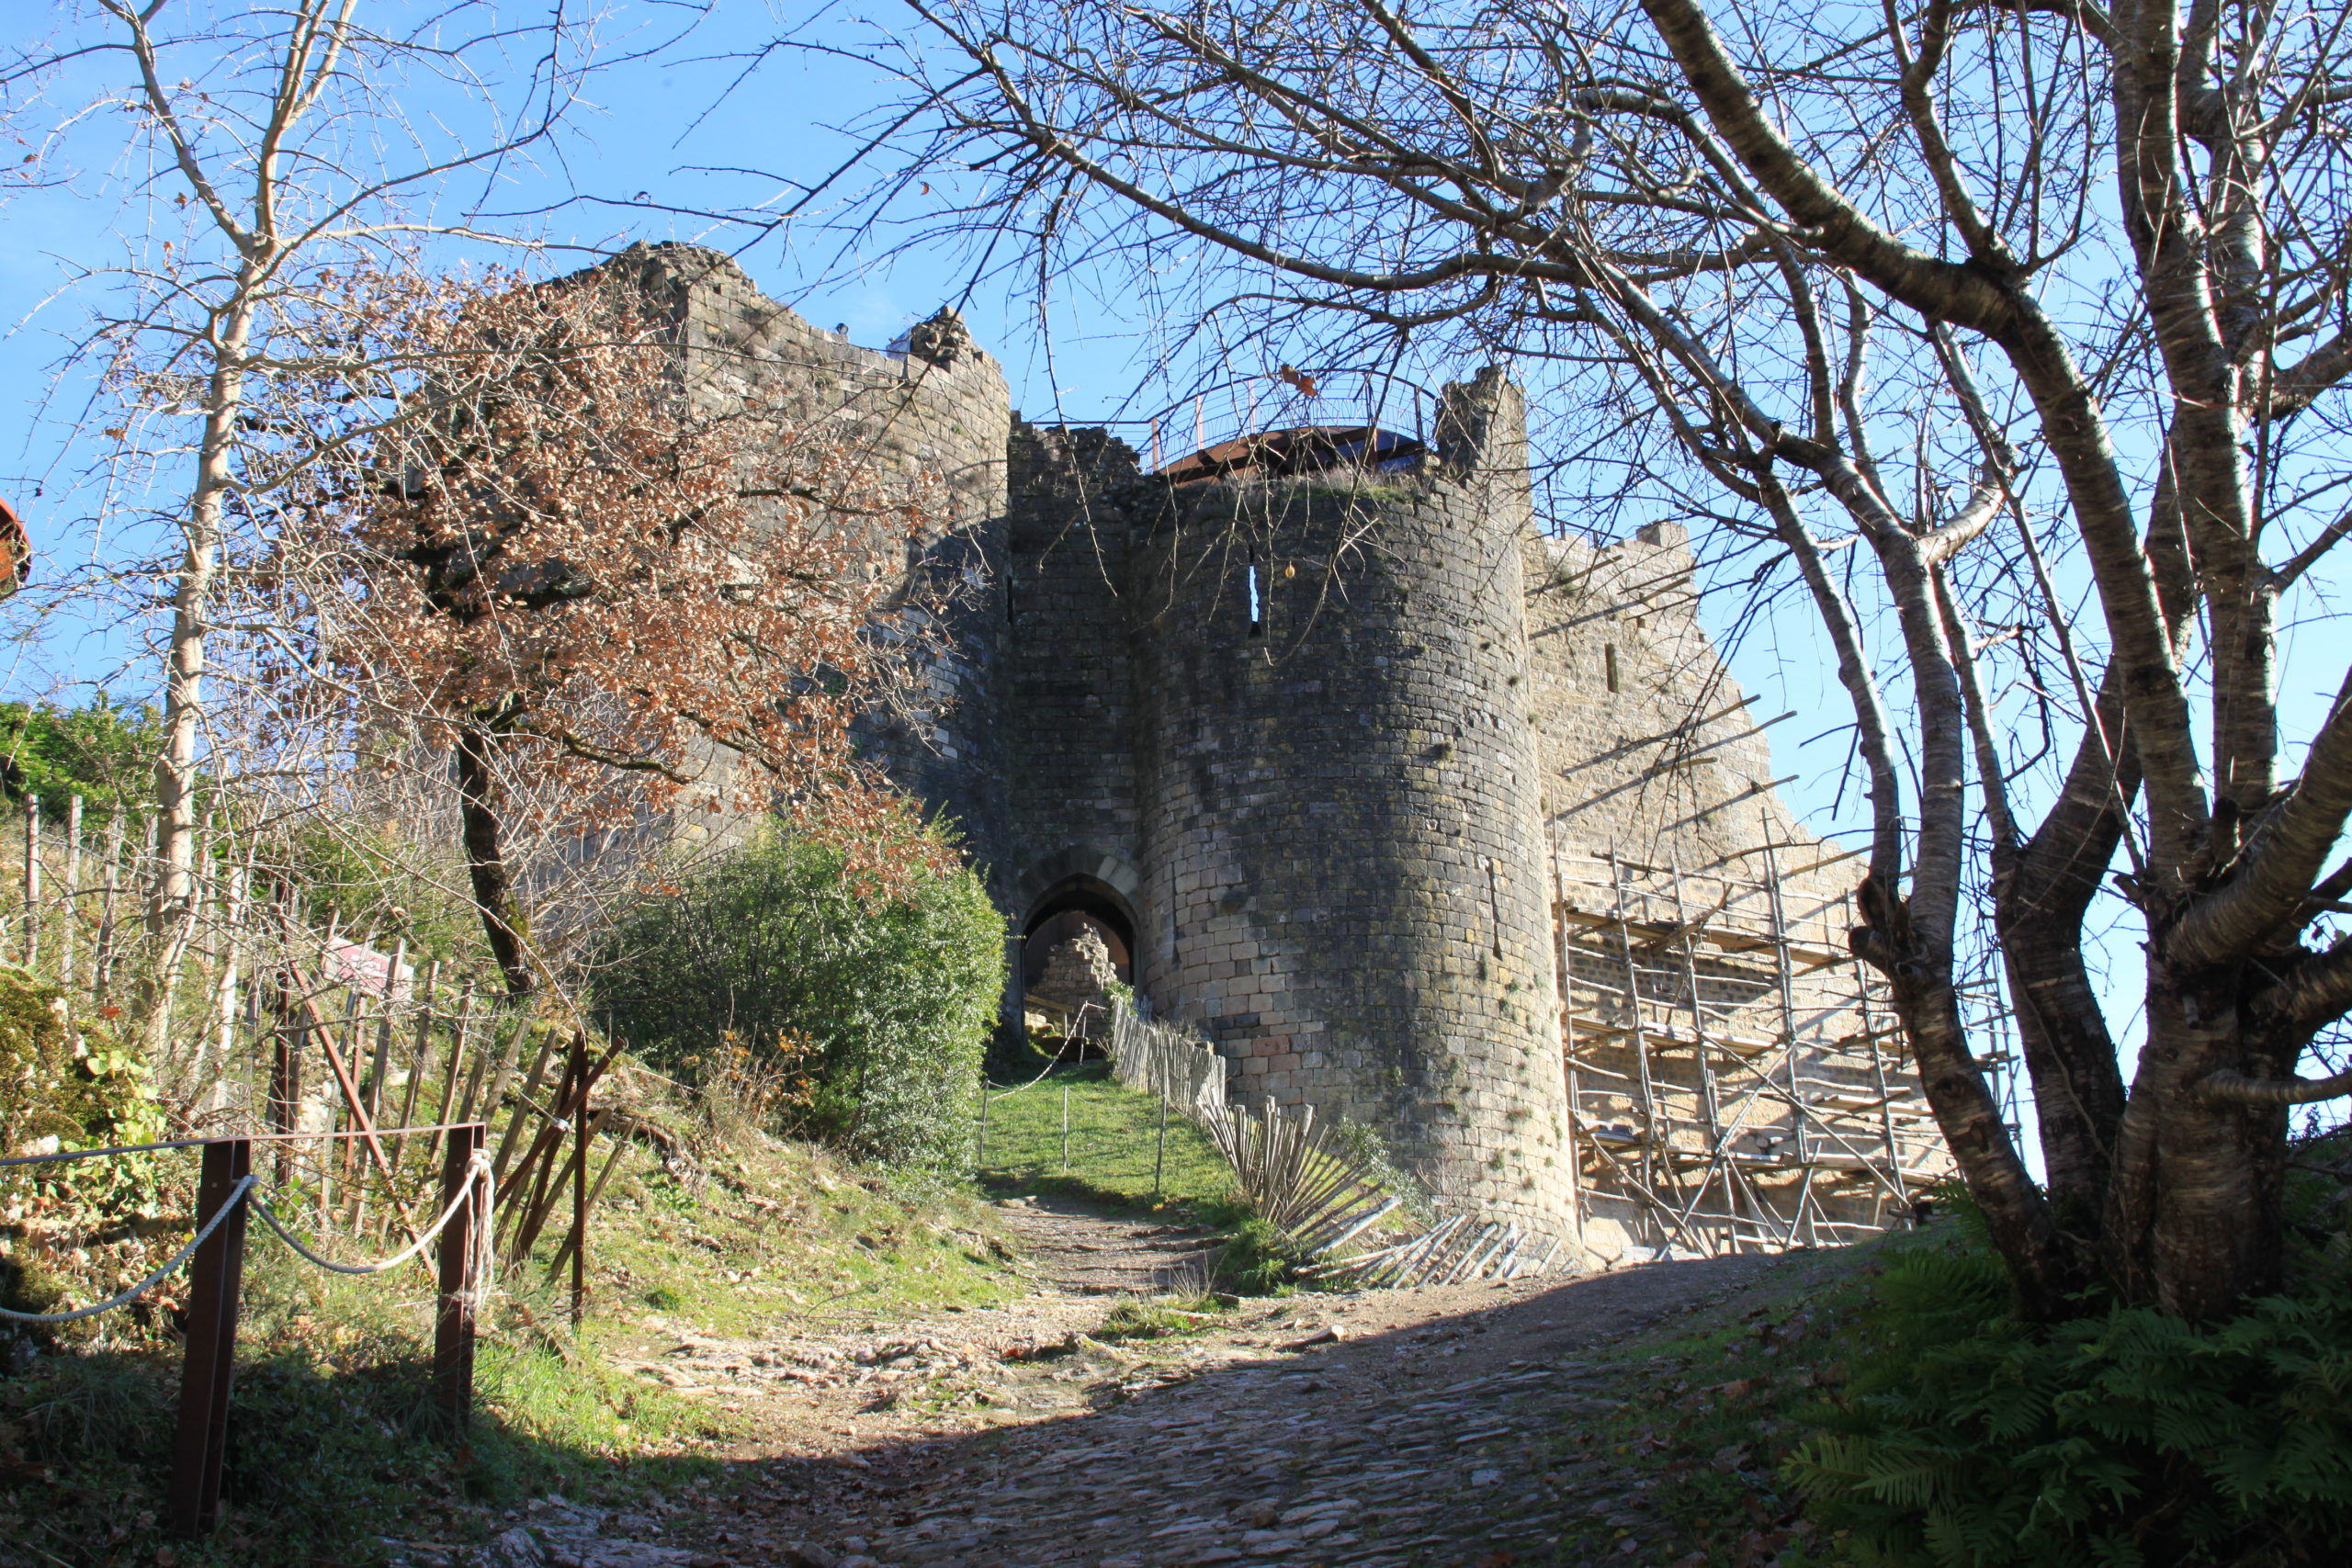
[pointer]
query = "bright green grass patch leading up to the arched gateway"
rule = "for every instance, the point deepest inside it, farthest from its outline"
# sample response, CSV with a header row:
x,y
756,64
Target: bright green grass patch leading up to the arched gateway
x,y
1114,1144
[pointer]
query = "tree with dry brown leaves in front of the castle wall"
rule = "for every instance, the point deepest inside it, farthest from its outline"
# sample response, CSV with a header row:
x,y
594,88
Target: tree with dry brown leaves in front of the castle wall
x,y
596,596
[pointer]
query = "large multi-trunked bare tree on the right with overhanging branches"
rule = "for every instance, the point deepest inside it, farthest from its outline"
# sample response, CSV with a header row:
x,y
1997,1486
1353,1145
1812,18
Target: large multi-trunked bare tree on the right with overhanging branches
x,y
2014,300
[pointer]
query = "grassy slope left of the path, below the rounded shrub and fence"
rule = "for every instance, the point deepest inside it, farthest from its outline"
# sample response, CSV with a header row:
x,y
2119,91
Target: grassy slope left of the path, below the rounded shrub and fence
x,y
335,1447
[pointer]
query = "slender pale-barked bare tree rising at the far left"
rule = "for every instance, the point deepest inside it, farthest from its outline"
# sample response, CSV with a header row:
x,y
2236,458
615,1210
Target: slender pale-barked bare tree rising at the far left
x,y
267,154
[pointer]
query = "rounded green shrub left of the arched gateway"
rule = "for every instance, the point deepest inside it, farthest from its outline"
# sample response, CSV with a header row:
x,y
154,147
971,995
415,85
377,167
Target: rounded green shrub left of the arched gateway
x,y
841,1017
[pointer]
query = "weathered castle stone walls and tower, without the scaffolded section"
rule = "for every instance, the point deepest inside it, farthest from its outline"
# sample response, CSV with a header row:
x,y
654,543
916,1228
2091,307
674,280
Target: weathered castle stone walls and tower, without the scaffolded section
x,y
1311,746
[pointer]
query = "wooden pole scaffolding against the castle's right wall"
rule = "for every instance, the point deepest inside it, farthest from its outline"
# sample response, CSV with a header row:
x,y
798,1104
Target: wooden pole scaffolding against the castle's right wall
x,y
1735,1076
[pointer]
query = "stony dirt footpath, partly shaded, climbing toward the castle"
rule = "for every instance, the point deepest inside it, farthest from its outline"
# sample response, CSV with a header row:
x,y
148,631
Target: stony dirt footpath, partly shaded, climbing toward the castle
x,y
1384,1428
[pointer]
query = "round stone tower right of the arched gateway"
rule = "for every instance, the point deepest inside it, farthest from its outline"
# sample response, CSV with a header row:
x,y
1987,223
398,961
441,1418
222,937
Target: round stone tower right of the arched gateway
x,y
1339,803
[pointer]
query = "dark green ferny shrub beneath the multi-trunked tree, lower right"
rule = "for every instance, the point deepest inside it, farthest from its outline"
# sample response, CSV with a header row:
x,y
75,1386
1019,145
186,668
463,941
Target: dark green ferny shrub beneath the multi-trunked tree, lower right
x,y
1970,1440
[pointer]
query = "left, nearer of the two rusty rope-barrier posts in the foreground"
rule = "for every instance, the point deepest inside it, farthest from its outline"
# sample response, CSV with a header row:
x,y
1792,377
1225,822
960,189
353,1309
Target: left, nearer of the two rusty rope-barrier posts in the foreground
x,y
213,1346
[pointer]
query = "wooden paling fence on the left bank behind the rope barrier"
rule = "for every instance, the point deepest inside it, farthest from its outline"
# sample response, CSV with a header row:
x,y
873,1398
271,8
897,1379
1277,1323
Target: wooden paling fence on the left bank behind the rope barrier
x,y
314,1038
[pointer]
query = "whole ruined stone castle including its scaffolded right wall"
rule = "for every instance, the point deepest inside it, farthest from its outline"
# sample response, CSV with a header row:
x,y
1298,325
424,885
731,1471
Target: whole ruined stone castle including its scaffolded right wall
x,y
1419,817
